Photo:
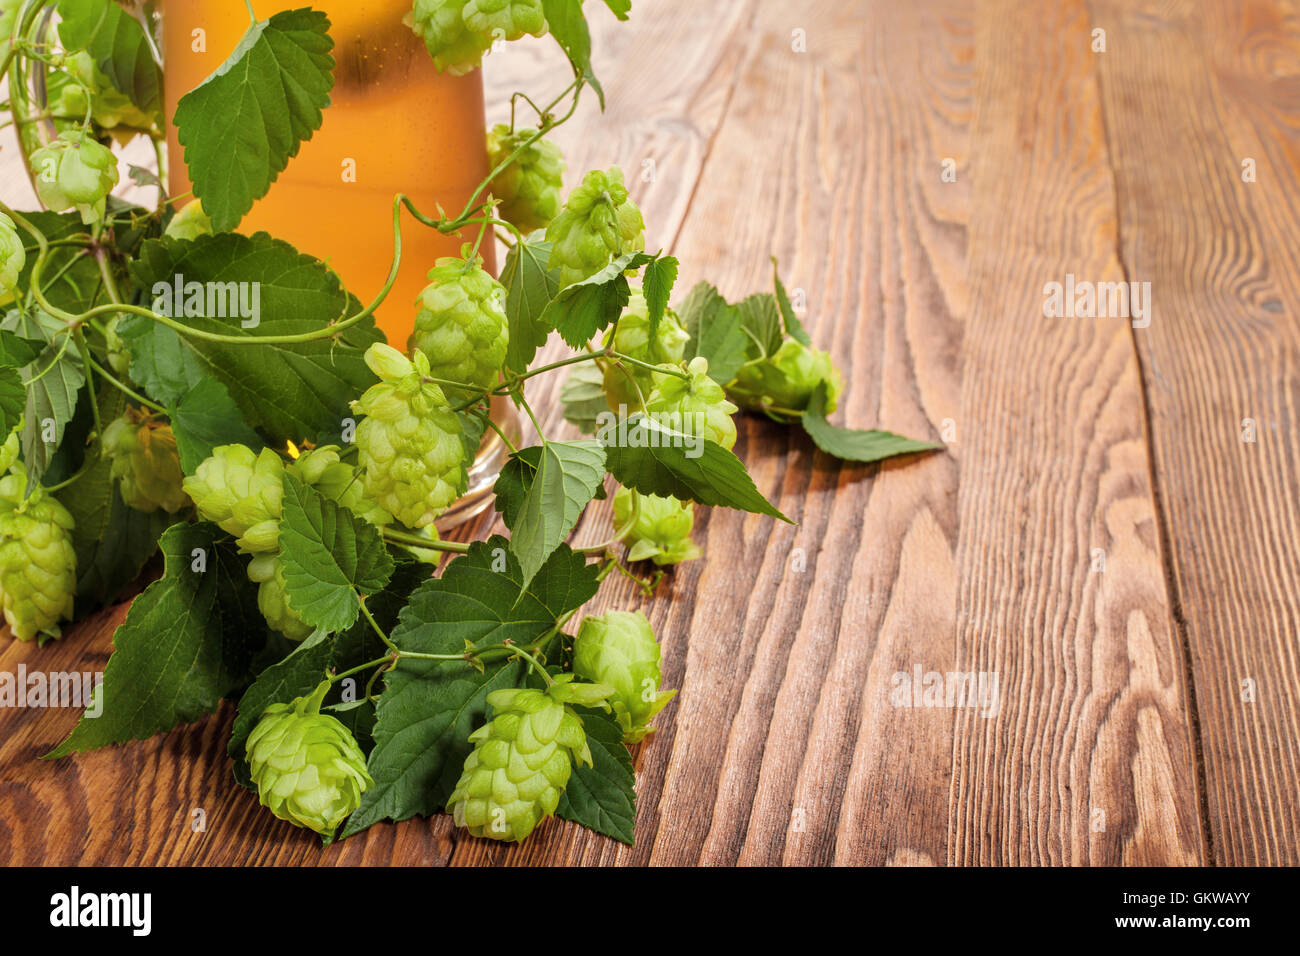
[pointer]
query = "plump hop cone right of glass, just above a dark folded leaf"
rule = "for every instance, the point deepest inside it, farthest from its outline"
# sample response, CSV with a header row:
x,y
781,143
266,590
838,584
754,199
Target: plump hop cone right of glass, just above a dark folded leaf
x,y
597,224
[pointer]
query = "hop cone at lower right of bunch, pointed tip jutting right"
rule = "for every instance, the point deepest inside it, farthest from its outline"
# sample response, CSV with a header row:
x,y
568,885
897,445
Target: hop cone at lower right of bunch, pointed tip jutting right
x,y
619,650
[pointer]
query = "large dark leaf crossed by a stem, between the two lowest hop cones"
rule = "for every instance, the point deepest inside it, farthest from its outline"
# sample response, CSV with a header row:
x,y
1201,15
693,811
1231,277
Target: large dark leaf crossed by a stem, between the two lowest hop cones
x,y
430,708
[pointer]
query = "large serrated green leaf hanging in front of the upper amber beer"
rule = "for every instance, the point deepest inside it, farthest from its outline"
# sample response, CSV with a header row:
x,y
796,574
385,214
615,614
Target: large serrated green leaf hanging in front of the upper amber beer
x,y
242,126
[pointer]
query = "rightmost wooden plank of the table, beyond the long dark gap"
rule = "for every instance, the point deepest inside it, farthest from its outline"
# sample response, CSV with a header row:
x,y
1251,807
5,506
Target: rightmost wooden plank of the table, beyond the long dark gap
x,y
1224,347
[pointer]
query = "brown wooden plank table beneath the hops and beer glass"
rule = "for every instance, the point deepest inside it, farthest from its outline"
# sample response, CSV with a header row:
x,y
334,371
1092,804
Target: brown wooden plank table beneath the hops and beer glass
x,y
1100,534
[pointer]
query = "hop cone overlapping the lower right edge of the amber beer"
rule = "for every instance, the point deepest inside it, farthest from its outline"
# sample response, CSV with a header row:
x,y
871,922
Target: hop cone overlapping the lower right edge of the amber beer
x,y
462,327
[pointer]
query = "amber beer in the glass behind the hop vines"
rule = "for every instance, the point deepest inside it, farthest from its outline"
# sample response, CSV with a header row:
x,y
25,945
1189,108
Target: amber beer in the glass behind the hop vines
x,y
395,126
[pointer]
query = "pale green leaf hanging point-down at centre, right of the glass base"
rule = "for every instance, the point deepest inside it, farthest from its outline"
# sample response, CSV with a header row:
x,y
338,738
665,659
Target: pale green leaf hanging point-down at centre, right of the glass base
x,y
556,490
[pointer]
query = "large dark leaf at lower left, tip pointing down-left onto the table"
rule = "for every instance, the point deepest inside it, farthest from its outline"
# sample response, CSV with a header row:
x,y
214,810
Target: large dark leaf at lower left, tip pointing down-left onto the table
x,y
188,642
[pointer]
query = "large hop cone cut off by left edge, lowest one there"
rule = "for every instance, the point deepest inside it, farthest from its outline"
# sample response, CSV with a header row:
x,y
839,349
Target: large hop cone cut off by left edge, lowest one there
x,y
38,564
